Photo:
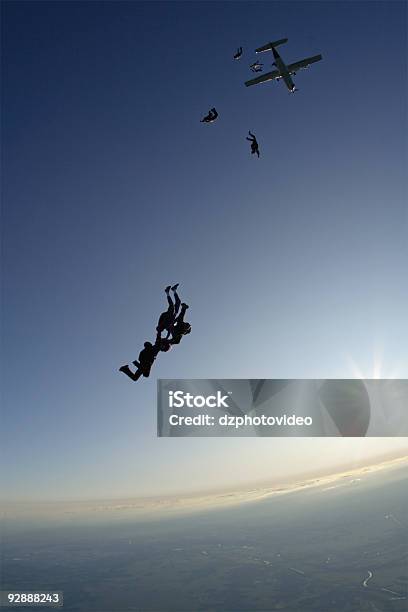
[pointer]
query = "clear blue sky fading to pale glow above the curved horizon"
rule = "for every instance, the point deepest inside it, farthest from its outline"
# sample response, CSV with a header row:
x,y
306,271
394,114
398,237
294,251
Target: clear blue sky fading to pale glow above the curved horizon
x,y
294,265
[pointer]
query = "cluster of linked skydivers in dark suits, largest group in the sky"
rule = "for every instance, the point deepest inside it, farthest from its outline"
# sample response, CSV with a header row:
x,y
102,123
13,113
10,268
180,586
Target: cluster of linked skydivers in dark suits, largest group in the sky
x,y
170,321
